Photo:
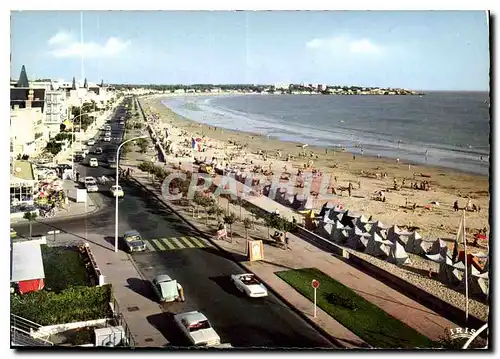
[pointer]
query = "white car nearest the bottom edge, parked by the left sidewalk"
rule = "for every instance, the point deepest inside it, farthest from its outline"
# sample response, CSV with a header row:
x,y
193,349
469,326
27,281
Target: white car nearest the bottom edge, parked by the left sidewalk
x,y
197,328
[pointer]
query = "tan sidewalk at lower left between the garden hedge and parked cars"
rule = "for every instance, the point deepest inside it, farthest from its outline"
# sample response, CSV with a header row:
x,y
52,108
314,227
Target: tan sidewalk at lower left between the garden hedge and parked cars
x,y
135,308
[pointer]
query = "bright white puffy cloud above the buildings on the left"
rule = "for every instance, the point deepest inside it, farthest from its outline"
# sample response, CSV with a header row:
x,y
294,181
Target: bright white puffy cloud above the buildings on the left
x,y
65,45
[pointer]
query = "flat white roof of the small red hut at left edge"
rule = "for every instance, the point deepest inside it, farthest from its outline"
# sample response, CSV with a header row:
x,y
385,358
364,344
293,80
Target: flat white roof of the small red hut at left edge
x,y
26,261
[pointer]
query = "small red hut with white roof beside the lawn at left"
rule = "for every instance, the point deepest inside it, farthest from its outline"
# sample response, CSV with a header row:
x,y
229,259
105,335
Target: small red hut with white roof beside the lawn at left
x,y
26,266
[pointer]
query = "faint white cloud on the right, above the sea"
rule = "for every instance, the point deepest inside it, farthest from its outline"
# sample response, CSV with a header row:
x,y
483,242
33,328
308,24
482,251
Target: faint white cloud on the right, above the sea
x,y
344,44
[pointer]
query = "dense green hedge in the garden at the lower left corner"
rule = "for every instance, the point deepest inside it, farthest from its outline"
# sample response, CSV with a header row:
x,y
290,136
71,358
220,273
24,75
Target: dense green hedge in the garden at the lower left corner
x,y
75,304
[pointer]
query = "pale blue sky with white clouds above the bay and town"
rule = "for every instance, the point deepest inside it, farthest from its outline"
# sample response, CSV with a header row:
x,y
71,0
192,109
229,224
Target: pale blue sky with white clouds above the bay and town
x,y
420,50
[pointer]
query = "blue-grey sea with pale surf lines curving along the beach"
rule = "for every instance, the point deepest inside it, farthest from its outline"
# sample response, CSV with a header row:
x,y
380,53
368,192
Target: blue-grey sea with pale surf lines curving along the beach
x,y
440,128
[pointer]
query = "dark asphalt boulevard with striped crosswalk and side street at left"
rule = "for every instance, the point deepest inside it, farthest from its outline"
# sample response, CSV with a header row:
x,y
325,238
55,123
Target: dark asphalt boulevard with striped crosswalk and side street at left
x,y
203,271
